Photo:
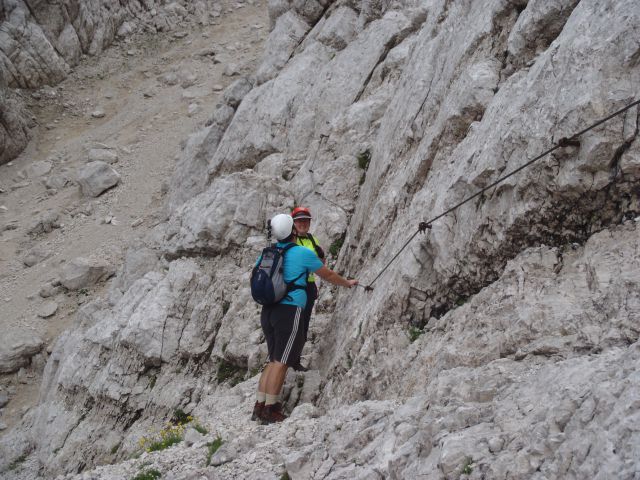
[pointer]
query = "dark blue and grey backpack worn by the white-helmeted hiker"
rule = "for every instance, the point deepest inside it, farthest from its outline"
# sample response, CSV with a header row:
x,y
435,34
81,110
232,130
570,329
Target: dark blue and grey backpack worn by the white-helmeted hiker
x,y
267,278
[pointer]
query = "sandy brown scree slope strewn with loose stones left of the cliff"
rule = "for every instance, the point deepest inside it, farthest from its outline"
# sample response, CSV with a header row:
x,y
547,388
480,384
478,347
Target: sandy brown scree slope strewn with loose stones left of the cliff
x,y
154,91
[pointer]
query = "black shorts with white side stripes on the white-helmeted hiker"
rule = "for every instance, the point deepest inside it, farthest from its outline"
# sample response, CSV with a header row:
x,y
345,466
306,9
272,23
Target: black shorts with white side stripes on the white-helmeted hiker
x,y
283,329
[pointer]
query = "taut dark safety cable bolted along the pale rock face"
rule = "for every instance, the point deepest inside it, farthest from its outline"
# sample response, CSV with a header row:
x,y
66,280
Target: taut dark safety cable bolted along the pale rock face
x,y
562,143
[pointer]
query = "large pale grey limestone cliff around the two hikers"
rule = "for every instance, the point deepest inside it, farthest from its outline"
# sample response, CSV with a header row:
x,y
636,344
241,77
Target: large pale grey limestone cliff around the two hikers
x,y
501,343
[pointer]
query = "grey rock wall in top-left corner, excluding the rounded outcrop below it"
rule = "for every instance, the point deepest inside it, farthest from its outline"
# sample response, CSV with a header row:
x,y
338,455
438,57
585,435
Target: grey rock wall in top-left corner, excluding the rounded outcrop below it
x,y
42,40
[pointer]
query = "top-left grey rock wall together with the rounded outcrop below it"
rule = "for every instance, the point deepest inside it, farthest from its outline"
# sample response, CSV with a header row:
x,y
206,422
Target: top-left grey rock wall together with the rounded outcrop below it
x,y
42,41
